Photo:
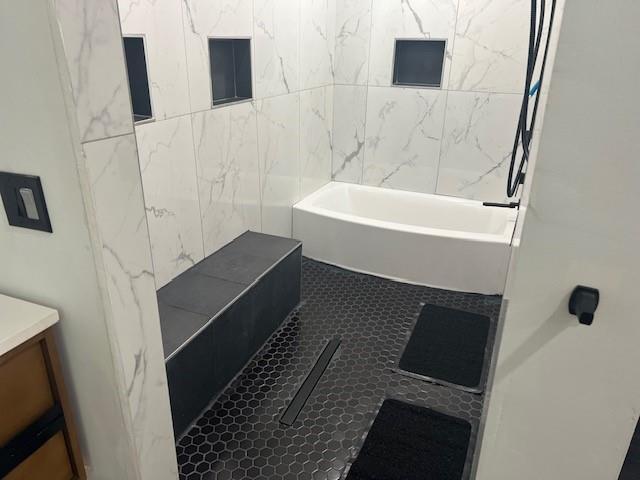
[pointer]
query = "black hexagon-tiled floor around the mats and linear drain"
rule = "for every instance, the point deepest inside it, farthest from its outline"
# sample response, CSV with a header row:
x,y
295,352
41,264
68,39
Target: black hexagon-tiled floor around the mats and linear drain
x,y
240,437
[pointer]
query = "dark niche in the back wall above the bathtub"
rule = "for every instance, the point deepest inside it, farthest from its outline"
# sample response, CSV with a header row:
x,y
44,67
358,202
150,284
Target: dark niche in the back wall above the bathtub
x,y
419,63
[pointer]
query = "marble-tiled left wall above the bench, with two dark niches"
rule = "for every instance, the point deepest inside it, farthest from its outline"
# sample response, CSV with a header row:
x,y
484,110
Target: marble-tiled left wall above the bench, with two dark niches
x,y
209,174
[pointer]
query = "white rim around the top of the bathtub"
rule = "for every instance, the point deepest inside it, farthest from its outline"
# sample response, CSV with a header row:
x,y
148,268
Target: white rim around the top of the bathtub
x,y
505,238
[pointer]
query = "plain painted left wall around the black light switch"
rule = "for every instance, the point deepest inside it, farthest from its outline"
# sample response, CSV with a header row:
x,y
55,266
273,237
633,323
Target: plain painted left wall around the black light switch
x,y
58,269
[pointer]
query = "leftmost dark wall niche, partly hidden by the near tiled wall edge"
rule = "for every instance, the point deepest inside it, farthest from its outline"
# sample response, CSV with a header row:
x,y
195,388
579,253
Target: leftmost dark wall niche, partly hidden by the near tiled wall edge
x,y
134,52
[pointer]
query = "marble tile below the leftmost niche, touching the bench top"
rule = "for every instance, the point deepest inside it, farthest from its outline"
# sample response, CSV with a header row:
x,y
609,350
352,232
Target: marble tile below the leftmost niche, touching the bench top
x,y
168,167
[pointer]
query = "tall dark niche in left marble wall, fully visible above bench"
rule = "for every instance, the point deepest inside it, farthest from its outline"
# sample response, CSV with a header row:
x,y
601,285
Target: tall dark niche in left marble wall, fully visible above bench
x,y
230,60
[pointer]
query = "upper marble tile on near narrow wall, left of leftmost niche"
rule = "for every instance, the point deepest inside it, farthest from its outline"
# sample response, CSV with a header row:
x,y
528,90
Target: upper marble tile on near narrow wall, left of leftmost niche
x,y
93,46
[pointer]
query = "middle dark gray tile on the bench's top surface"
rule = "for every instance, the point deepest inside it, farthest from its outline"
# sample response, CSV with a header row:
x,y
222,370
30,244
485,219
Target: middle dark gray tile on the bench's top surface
x,y
199,293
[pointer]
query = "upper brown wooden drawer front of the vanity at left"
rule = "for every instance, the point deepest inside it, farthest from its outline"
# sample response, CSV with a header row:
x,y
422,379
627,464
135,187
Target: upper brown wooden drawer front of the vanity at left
x,y
26,391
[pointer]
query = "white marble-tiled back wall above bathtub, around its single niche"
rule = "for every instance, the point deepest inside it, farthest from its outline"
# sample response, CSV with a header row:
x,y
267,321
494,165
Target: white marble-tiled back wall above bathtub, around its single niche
x,y
452,141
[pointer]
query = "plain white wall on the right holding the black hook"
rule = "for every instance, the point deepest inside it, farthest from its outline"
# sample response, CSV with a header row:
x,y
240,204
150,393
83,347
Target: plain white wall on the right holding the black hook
x,y
566,398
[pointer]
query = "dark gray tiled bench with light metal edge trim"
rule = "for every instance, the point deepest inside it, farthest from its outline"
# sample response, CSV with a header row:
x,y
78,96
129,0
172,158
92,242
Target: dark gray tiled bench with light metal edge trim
x,y
215,316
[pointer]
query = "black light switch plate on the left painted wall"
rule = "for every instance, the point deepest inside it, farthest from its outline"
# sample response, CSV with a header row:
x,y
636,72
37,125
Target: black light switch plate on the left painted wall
x,y
24,201
